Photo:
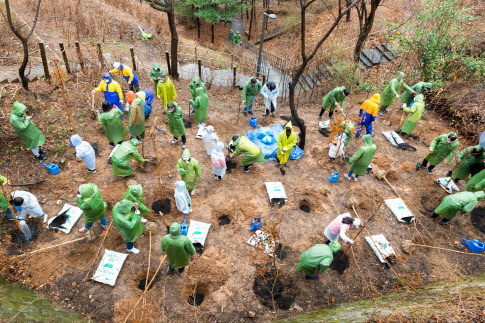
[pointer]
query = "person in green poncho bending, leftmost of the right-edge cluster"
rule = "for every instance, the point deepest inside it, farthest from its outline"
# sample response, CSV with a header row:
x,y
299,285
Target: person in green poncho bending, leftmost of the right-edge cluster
x,y
442,148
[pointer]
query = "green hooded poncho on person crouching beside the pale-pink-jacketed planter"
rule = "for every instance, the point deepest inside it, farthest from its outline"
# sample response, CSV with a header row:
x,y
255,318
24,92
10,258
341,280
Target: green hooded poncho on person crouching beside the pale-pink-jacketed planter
x,y
317,258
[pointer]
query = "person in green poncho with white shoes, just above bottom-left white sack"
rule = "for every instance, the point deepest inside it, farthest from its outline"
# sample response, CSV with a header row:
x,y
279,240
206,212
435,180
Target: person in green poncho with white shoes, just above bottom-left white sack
x,y
128,223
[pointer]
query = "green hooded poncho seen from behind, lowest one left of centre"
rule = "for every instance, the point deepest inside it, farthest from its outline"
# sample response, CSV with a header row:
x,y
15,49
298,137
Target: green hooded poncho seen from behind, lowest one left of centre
x,y
178,247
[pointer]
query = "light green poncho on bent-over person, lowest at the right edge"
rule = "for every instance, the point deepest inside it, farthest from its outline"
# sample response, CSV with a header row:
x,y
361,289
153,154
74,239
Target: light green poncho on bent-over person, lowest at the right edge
x,y
463,201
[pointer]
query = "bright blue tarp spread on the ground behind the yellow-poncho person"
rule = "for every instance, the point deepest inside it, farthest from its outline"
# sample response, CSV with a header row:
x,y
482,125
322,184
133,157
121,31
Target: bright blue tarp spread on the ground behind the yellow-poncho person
x,y
266,139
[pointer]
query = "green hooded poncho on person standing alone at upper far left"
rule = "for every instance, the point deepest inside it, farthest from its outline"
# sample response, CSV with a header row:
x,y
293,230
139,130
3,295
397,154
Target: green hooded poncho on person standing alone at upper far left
x,y
25,129
